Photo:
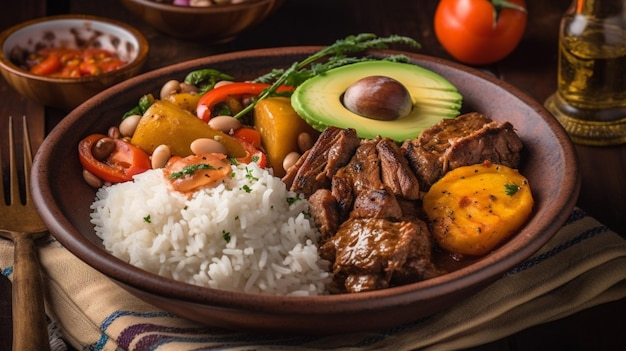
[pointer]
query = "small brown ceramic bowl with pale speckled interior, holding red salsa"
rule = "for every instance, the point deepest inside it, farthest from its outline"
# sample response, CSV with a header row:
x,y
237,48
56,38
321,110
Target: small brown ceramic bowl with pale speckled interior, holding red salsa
x,y
71,31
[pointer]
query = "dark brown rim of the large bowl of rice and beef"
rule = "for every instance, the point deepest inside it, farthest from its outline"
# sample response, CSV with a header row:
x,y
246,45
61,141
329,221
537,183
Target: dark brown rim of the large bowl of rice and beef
x,y
484,270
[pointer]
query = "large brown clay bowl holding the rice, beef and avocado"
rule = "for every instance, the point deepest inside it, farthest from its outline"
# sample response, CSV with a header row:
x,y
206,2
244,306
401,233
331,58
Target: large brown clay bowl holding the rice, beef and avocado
x,y
63,199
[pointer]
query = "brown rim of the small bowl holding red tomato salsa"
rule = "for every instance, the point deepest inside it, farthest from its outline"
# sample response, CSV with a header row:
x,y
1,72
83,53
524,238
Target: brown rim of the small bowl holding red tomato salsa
x,y
143,47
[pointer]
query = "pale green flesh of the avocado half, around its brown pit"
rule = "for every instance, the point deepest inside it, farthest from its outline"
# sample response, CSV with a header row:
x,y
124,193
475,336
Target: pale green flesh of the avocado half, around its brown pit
x,y
318,100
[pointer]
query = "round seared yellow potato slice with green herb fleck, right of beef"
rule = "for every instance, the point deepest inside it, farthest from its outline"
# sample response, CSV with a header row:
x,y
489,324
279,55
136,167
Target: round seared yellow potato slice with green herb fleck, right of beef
x,y
472,209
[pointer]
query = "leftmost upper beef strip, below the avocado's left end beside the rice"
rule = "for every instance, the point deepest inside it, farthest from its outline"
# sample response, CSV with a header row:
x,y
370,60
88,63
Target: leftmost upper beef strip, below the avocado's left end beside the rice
x,y
333,149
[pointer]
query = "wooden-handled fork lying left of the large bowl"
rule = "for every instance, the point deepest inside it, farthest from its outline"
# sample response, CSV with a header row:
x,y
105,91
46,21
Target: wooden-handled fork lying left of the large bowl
x,y
20,222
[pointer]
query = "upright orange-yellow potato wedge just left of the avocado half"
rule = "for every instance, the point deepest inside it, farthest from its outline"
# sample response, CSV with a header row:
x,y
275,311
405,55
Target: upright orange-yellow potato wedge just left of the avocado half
x,y
279,126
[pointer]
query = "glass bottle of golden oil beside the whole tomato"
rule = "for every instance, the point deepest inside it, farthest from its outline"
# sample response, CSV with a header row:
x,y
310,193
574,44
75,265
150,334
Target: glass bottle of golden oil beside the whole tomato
x,y
590,101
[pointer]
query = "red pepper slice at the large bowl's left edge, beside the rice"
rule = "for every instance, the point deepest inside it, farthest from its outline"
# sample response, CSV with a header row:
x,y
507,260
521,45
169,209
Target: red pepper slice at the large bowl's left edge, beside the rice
x,y
120,166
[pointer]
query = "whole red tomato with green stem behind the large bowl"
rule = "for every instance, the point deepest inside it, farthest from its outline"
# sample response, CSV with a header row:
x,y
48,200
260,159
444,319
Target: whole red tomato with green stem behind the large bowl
x,y
480,32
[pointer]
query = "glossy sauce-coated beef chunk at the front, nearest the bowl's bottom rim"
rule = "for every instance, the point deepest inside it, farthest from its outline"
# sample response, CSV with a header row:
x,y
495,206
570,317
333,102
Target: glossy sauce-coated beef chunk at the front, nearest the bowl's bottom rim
x,y
369,254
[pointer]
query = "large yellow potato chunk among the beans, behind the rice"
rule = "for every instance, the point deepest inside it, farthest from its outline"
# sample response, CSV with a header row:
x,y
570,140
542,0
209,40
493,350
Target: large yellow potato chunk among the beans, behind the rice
x,y
165,123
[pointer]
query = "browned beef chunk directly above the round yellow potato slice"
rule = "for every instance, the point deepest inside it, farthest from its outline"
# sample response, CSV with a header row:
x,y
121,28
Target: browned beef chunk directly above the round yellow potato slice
x,y
468,139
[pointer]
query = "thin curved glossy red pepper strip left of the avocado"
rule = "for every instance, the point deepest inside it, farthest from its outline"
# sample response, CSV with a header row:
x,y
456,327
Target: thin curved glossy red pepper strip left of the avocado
x,y
219,94
